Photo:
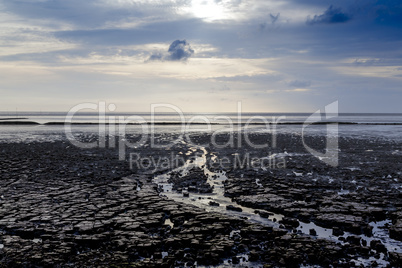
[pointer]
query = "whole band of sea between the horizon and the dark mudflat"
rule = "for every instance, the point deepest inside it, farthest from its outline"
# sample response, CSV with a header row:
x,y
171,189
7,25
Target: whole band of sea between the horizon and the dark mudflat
x,y
49,125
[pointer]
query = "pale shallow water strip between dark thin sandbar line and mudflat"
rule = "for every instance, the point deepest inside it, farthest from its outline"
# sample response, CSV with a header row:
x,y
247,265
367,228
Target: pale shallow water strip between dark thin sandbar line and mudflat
x,y
44,133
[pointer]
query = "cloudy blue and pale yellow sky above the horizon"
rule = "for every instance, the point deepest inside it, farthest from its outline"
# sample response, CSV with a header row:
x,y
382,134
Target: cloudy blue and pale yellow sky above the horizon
x,y
202,56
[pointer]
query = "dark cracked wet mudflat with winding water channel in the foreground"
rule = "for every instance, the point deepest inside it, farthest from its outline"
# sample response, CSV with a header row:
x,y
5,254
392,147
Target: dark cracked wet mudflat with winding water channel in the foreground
x,y
61,205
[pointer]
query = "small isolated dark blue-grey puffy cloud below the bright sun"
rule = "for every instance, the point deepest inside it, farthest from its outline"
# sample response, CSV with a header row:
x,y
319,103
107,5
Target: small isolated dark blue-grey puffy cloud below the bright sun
x,y
179,50
